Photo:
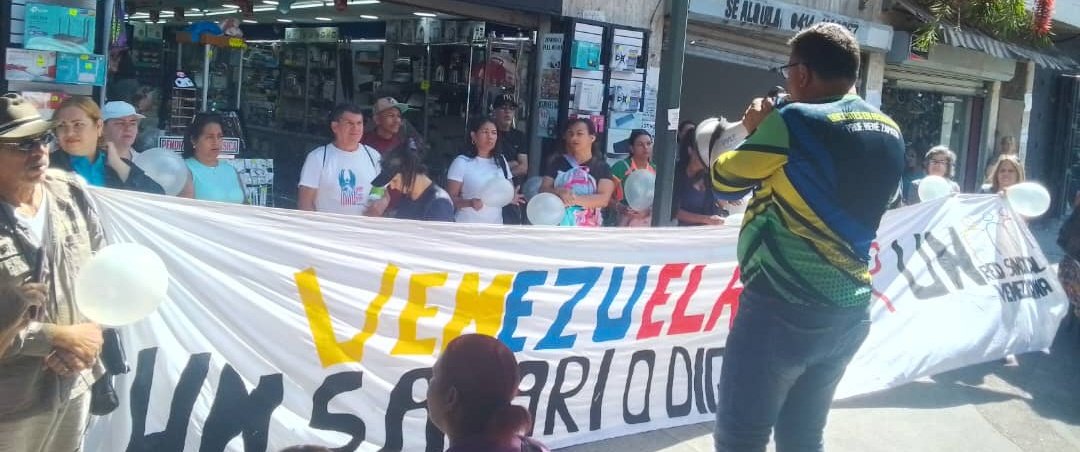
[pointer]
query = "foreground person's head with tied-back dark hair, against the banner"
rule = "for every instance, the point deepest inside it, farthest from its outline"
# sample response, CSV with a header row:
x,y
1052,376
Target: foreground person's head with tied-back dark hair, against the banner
x,y
471,395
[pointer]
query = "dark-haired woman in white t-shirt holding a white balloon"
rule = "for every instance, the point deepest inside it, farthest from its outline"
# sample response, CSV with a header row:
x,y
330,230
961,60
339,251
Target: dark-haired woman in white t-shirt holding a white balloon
x,y
471,171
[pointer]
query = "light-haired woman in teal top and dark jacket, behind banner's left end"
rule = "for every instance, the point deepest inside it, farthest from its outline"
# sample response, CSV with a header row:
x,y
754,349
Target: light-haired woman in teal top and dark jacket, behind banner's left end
x,y
79,129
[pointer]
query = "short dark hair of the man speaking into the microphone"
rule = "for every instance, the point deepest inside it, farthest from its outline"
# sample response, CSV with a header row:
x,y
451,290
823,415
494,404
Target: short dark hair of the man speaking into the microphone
x,y
829,50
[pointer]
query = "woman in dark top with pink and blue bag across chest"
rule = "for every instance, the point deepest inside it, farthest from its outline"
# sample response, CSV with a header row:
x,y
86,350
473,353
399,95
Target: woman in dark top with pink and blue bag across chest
x,y
579,176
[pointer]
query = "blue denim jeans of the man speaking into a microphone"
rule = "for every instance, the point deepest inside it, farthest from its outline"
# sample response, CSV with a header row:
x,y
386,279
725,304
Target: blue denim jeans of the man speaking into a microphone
x,y
781,368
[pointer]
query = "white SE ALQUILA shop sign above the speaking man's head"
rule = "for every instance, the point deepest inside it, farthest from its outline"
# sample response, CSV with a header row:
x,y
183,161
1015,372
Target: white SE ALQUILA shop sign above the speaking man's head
x,y
781,17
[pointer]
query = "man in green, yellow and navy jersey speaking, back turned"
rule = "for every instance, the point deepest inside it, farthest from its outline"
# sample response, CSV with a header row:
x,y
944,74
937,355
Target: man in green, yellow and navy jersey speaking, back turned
x,y
823,166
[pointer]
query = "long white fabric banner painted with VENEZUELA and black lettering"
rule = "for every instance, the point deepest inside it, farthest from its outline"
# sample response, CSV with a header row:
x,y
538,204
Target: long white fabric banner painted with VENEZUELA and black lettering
x,y
285,328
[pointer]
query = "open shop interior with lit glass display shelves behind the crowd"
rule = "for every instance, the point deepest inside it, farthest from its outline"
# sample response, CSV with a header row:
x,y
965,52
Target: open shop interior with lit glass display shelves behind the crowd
x,y
294,63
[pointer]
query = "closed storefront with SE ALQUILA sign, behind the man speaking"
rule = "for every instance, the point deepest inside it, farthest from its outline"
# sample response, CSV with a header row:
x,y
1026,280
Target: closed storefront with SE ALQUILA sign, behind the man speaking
x,y
734,47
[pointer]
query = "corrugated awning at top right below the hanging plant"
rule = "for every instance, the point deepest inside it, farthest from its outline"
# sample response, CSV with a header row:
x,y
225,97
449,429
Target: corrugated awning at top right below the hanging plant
x,y
973,39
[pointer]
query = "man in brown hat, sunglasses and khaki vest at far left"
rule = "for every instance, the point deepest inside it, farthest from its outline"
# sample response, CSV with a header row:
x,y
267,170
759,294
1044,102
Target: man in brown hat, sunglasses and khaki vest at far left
x,y
48,231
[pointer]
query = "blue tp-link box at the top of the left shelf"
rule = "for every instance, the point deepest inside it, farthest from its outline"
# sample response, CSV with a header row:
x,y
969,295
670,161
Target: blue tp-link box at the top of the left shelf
x,y
51,28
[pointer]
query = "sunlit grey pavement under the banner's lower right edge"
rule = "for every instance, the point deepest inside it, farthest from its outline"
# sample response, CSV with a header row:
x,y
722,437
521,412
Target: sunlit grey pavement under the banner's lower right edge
x,y
1034,407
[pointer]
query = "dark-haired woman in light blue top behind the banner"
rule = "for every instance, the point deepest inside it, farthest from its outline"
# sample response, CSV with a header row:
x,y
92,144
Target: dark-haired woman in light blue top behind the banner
x,y
212,180
